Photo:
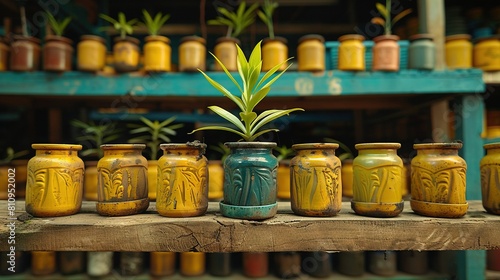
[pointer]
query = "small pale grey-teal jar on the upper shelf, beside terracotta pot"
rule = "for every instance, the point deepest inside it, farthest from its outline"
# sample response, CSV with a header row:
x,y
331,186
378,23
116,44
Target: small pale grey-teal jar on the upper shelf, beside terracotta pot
x,y
422,52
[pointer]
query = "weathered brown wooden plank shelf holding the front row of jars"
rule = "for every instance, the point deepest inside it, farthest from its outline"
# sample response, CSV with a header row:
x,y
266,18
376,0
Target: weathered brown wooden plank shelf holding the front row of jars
x,y
87,231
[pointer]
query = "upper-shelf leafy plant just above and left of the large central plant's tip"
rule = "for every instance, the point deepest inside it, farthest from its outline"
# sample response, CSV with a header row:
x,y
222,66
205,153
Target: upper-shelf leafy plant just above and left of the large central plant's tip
x,y
236,22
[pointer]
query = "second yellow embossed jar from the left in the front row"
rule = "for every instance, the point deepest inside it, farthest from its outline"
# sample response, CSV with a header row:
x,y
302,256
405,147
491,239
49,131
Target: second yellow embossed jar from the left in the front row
x,y
122,180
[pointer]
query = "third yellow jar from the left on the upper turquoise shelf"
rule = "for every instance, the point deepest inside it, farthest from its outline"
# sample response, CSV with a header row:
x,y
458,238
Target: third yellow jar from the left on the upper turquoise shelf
x,y
157,54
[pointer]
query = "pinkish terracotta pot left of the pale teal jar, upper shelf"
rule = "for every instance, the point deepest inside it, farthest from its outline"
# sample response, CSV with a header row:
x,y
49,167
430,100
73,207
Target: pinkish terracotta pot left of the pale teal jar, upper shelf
x,y
386,53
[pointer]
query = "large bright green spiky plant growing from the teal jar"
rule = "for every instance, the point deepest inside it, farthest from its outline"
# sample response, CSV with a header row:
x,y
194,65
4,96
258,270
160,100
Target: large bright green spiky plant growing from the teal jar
x,y
249,125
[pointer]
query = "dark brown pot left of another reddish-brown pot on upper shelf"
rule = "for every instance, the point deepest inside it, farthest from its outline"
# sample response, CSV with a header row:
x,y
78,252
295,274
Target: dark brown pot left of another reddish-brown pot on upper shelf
x,y
25,54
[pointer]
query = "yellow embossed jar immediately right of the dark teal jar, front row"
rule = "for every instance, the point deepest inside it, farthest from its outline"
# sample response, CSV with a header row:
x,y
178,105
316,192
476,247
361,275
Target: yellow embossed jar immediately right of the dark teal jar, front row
x,y
316,188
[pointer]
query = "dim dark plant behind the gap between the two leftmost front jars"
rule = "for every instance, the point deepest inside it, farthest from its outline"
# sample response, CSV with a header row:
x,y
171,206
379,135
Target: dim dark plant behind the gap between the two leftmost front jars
x,y
97,135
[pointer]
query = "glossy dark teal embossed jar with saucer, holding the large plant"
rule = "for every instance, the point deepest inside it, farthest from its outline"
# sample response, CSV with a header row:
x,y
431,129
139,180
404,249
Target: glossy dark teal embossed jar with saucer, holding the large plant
x,y
250,181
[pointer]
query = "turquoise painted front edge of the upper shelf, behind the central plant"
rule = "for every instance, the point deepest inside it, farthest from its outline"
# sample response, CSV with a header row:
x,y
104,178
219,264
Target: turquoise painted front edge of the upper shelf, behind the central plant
x,y
328,83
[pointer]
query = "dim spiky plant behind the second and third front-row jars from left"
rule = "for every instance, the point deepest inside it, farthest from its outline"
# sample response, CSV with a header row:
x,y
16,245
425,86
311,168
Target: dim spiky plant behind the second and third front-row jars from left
x,y
153,133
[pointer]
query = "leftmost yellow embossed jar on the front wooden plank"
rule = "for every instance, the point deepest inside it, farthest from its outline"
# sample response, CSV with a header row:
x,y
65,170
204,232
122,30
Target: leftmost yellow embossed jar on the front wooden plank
x,y
55,180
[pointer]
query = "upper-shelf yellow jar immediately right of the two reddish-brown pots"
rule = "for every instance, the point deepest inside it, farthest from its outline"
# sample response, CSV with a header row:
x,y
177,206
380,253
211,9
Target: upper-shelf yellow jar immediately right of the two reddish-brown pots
x,y
91,53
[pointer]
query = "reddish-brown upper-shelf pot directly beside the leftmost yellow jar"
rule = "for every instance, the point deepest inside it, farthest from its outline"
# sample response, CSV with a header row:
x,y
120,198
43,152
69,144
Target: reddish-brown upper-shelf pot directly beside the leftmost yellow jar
x,y
57,54
